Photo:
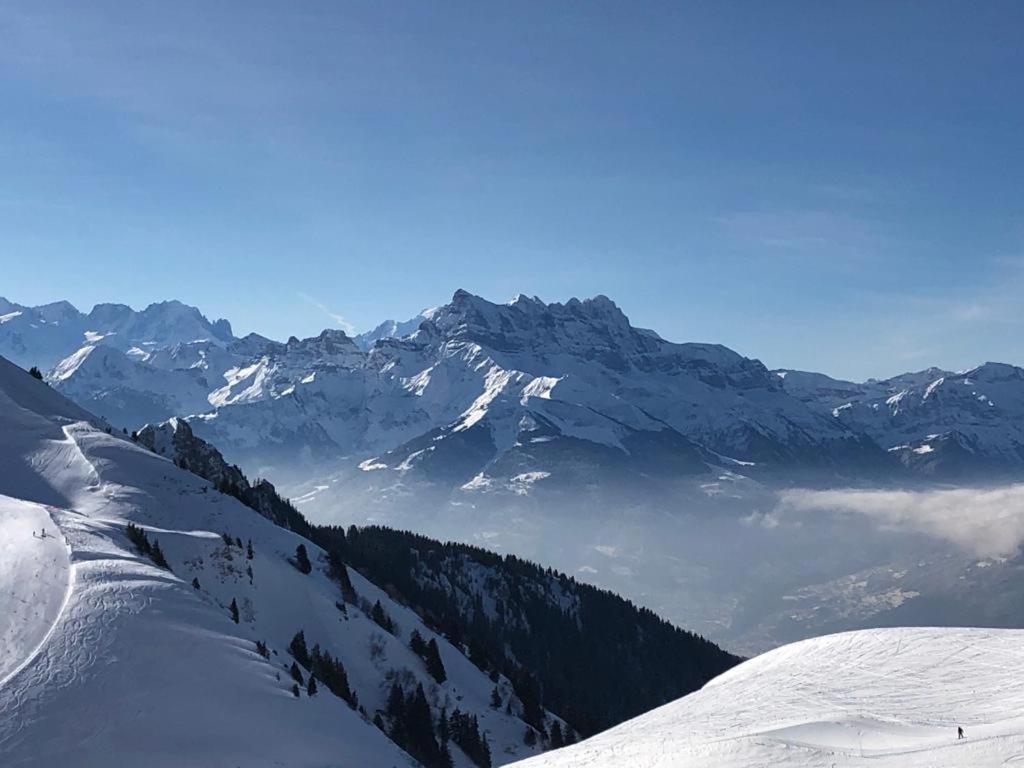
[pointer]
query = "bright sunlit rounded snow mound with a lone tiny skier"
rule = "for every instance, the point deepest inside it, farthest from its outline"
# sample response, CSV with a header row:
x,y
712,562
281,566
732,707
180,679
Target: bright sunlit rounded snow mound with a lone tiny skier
x,y
889,699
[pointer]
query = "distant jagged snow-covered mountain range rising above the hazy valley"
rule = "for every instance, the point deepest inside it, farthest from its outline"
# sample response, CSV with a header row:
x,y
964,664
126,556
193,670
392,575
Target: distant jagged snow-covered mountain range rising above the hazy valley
x,y
476,395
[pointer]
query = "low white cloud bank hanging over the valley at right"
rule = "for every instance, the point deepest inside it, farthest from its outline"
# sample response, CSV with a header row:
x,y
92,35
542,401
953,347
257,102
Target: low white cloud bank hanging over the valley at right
x,y
989,523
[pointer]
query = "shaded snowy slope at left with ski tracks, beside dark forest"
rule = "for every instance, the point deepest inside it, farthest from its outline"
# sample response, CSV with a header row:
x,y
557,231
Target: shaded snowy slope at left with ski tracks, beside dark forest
x,y
108,660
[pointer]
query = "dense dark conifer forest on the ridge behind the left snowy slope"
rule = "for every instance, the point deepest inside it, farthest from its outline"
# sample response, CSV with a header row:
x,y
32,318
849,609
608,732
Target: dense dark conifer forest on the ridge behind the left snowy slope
x,y
586,654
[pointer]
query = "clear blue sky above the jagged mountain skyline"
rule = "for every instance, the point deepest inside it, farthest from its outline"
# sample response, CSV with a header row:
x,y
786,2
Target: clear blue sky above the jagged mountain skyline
x,y
824,188
